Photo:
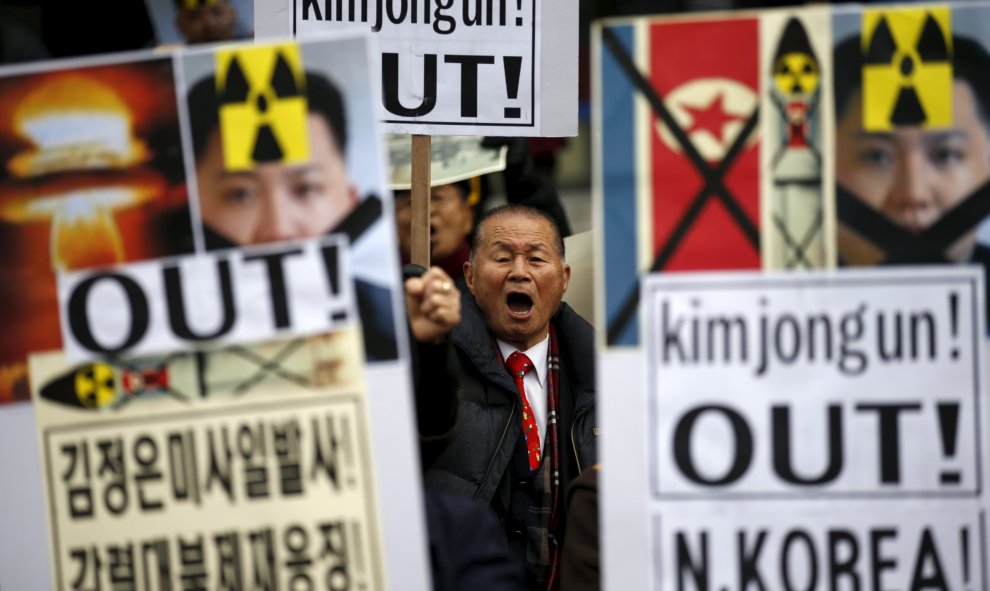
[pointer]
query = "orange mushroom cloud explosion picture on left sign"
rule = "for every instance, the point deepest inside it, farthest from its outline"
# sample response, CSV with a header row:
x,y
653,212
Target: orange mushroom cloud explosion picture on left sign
x,y
91,175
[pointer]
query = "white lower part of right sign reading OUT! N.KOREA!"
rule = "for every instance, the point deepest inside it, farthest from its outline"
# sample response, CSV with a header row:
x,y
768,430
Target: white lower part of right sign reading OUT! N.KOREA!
x,y
814,431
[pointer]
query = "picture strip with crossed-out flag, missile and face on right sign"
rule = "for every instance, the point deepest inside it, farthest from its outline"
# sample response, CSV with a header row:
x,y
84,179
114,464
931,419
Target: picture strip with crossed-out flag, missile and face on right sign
x,y
818,189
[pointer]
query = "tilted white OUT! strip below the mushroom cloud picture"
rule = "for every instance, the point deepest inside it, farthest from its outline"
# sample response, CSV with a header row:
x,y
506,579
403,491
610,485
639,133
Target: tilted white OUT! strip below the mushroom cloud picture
x,y
237,296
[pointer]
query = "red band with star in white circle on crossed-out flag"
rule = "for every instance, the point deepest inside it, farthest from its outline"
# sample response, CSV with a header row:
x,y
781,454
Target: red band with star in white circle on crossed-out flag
x,y
707,74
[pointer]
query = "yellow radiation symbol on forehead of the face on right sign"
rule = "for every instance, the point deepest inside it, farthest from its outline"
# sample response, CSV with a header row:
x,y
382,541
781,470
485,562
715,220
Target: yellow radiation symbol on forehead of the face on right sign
x,y
907,68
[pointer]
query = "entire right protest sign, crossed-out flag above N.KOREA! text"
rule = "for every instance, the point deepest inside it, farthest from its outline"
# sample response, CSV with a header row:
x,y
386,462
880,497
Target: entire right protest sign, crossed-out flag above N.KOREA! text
x,y
858,165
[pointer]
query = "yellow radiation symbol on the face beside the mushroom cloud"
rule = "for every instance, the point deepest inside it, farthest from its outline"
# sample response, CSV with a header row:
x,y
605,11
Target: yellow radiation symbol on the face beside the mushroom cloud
x,y
263,109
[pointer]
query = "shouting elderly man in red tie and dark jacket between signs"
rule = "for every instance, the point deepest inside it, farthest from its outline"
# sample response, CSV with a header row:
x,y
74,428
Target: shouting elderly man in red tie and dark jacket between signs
x,y
524,365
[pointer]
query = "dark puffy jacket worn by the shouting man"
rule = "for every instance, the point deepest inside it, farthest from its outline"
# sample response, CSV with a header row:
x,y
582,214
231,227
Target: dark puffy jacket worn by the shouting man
x,y
478,458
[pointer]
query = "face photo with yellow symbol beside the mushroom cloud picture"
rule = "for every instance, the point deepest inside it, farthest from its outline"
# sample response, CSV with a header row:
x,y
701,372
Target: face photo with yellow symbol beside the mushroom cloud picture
x,y
283,137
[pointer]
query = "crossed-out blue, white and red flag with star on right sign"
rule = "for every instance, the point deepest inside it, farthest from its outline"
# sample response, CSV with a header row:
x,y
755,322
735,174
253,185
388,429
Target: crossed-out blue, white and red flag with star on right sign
x,y
679,162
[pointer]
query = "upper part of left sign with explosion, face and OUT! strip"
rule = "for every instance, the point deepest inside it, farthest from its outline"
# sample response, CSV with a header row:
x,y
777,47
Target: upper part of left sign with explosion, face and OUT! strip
x,y
110,183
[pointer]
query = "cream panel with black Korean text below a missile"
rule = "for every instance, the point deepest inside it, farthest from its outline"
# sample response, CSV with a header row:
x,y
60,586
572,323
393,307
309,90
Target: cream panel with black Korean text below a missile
x,y
229,467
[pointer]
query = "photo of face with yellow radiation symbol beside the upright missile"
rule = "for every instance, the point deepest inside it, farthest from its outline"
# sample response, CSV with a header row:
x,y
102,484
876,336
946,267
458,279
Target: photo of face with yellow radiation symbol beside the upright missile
x,y
912,150
